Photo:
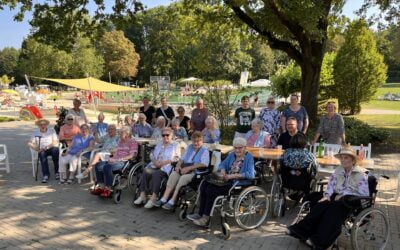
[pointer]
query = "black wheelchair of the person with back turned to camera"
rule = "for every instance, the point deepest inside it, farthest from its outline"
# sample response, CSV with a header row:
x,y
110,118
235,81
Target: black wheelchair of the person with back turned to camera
x,y
290,184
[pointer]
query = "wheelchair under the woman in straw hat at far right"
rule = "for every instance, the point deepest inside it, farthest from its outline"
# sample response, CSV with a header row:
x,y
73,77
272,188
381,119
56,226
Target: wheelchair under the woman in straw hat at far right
x,y
366,226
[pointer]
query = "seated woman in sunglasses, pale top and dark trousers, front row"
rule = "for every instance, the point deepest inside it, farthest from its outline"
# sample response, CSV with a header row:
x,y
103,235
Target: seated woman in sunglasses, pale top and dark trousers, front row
x,y
158,170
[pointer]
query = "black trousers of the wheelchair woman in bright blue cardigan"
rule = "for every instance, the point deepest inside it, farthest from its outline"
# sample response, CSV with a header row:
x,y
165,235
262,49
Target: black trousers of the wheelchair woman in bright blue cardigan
x,y
208,194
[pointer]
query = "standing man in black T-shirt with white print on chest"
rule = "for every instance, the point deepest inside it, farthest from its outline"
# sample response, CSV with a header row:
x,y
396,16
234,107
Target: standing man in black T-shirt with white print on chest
x,y
244,115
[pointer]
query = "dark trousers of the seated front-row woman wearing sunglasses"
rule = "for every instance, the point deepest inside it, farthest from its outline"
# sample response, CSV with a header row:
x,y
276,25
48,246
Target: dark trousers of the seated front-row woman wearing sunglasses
x,y
151,180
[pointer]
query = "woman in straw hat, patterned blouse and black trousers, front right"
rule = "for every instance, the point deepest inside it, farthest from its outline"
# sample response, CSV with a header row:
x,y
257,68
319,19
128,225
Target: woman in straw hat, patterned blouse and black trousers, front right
x,y
322,225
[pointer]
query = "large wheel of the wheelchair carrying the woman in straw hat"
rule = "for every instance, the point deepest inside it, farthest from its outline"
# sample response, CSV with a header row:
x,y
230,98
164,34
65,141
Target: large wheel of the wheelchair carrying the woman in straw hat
x,y
370,230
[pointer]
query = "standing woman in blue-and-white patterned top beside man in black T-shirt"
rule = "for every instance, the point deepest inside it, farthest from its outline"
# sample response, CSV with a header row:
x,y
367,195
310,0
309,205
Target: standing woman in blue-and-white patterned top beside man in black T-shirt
x,y
270,118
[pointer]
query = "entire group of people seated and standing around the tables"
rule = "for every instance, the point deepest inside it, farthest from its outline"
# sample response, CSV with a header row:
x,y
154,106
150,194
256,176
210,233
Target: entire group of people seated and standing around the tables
x,y
168,162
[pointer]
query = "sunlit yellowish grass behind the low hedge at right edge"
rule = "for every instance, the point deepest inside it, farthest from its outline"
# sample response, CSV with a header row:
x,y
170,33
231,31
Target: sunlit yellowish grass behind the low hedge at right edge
x,y
388,122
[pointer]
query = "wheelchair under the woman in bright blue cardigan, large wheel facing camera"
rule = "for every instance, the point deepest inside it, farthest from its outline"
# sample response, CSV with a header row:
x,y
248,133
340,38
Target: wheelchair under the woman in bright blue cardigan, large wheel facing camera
x,y
247,204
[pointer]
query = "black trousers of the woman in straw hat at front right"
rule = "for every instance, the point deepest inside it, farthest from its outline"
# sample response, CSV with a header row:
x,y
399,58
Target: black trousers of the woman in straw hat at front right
x,y
323,224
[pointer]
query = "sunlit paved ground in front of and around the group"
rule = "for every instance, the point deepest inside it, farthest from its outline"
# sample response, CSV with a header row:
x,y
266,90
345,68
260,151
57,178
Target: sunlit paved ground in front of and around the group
x,y
54,216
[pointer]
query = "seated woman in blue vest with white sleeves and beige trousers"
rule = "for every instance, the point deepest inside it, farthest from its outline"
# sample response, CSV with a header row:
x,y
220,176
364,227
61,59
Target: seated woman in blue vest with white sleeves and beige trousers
x,y
196,157
